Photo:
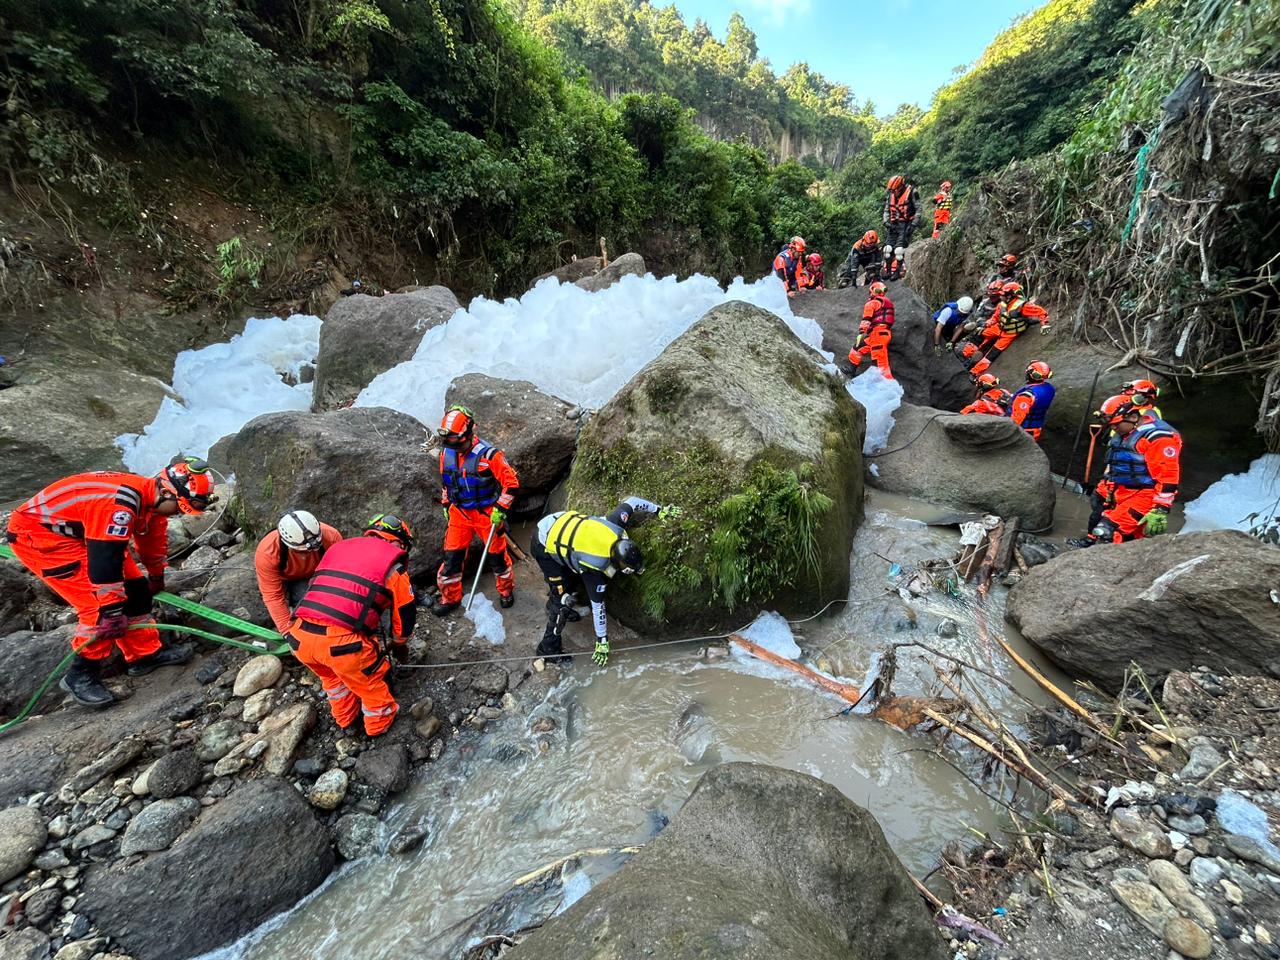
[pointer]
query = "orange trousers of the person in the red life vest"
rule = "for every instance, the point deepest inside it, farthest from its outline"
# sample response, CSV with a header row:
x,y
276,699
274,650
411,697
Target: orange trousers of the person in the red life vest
x,y
351,670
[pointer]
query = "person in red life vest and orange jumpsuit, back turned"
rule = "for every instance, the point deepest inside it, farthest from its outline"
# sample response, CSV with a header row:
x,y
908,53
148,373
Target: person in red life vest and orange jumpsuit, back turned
x,y
337,624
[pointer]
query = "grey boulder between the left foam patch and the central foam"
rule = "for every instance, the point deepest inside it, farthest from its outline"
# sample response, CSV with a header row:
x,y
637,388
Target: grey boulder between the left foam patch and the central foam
x,y
364,336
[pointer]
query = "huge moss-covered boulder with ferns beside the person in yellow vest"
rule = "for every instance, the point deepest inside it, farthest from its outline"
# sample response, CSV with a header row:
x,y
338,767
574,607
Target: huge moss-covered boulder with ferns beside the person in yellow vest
x,y
738,423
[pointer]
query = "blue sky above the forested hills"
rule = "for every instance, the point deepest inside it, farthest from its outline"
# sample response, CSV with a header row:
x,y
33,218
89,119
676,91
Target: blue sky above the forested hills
x,y
862,43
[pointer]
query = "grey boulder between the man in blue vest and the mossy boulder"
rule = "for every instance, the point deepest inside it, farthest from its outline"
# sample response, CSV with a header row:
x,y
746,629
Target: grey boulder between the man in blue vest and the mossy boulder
x,y
533,429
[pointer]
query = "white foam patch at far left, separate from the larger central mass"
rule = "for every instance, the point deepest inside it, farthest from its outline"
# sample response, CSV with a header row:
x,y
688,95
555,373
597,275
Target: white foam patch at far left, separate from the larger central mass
x,y
223,387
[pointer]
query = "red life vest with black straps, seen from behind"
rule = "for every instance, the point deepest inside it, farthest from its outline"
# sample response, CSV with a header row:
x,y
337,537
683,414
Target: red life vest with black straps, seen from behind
x,y
349,589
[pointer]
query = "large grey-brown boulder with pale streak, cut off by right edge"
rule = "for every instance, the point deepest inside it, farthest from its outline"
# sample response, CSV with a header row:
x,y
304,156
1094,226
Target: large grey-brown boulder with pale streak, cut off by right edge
x,y
1167,604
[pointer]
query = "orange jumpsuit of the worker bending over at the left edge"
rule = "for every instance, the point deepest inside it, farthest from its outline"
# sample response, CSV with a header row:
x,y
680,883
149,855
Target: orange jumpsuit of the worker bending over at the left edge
x,y
76,536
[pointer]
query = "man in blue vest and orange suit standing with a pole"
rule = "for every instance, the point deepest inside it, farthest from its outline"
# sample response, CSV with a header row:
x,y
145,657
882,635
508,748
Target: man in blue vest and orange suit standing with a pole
x,y
478,490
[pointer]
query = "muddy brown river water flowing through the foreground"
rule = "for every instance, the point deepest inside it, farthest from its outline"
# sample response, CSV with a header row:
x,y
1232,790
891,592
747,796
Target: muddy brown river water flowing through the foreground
x,y
630,744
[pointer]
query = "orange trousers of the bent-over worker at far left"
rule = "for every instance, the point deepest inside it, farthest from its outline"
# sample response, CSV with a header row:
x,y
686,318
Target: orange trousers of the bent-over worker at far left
x,y
62,565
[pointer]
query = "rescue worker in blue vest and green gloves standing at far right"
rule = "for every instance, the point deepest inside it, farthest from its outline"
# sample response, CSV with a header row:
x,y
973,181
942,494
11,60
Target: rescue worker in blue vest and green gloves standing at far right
x,y
1142,472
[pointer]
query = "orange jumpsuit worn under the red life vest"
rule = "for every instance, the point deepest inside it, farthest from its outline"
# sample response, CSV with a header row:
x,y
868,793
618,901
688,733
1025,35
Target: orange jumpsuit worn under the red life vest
x,y
350,664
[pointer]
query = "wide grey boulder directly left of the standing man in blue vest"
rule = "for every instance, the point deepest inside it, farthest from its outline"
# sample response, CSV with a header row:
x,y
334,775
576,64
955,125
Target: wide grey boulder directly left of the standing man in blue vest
x,y
345,467
